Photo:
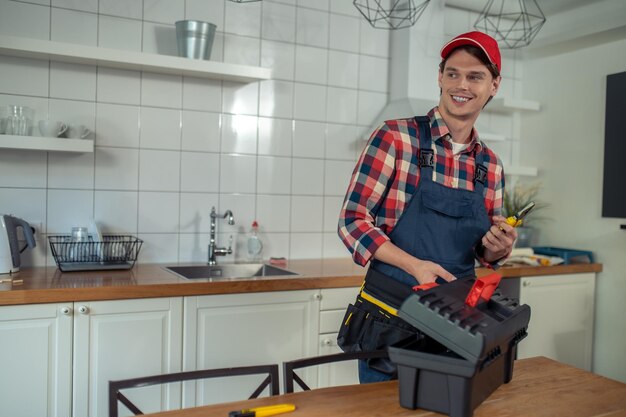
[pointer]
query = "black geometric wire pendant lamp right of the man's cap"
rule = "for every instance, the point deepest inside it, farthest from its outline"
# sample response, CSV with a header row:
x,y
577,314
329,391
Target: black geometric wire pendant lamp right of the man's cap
x,y
513,24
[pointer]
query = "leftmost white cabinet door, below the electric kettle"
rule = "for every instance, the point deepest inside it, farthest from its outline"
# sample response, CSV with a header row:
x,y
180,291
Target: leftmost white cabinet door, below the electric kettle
x,y
35,360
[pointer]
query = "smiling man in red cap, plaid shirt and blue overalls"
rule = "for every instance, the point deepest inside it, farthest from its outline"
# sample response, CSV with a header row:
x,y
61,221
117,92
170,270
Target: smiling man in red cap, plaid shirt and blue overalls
x,y
424,202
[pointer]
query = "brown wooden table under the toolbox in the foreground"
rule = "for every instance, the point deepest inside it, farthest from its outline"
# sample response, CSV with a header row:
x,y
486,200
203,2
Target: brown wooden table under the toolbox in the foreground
x,y
540,387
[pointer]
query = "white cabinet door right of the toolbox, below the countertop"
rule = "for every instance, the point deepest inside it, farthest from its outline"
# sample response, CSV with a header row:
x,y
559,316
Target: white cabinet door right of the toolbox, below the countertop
x,y
561,320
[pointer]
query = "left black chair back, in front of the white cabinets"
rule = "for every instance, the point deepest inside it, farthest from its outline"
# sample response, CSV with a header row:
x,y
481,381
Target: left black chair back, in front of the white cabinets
x,y
115,386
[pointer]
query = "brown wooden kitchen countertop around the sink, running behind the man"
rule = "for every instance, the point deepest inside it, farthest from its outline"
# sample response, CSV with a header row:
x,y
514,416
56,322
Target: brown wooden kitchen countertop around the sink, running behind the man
x,y
50,285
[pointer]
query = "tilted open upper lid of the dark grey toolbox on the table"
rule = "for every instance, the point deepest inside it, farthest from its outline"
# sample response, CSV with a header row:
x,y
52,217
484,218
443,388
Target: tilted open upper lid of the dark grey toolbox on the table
x,y
478,334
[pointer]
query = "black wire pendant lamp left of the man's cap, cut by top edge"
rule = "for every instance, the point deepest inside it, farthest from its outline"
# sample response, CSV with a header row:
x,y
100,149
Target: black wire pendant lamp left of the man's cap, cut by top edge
x,y
394,14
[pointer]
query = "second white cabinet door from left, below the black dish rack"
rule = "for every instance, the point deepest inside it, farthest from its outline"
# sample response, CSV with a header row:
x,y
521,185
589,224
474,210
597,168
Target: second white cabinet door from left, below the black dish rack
x,y
126,339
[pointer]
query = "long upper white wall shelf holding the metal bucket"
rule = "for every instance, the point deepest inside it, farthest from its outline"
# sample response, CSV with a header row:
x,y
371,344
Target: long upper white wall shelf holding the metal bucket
x,y
115,58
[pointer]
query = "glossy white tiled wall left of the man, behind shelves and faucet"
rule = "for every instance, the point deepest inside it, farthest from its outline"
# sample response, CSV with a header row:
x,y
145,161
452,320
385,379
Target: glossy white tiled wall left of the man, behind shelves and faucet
x,y
168,148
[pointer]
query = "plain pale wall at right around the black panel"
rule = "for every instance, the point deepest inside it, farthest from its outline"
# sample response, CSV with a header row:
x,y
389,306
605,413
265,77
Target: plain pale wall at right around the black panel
x,y
566,139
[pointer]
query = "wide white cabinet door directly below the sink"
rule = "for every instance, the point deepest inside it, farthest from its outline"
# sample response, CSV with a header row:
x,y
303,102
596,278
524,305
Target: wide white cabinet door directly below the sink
x,y
245,329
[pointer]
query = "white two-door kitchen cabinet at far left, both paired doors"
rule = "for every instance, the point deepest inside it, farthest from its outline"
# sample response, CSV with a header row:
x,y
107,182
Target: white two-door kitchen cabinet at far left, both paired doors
x,y
56,360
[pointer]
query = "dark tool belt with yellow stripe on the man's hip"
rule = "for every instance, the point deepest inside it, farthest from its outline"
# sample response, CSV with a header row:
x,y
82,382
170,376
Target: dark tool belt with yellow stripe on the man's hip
x,y
372,322
